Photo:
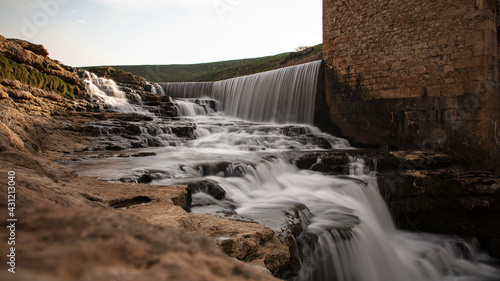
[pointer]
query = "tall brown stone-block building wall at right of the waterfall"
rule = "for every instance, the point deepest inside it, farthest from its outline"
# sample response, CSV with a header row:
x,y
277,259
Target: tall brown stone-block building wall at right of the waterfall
x,y
415,74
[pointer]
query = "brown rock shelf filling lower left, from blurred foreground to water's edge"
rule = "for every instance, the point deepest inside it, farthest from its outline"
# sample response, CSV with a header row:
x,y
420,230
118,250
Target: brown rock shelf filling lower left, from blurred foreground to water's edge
x,y
78,228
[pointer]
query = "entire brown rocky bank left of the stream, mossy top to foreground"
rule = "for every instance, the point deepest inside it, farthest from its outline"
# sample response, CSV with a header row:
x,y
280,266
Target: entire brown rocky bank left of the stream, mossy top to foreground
x,y
68,227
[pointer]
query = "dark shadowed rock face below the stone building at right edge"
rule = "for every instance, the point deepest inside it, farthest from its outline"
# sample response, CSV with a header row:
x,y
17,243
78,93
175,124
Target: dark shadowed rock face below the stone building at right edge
x,y
443,199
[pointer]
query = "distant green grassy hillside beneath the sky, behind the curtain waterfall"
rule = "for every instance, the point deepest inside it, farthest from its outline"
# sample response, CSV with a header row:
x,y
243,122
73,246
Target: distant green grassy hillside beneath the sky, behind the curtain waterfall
x,y
221,70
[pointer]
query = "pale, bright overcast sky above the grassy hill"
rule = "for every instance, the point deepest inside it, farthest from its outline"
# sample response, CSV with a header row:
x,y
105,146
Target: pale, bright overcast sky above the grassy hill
x,y
131,32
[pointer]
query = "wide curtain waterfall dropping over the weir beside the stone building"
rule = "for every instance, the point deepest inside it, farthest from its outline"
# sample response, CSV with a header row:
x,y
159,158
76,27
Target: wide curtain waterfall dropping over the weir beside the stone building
x,y
285,95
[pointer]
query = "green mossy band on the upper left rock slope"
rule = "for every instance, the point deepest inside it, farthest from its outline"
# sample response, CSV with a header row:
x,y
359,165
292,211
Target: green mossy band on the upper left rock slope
x,y
14,71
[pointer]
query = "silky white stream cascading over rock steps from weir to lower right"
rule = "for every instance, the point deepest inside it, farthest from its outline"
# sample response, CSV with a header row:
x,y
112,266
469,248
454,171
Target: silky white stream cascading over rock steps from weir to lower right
x,y
348,233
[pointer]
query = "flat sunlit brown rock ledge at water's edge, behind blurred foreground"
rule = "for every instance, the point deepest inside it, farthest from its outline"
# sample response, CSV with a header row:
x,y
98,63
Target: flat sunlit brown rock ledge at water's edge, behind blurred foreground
x,y
165,206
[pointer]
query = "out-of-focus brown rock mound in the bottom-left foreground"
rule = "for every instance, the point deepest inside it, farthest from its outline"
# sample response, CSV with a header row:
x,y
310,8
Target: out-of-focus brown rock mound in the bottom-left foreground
x,y
64,243
